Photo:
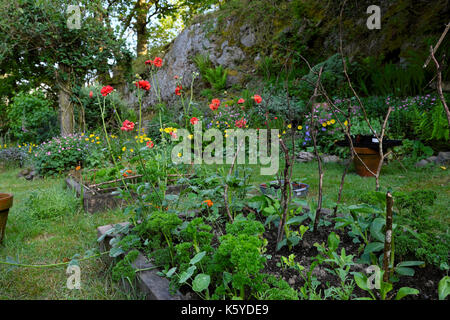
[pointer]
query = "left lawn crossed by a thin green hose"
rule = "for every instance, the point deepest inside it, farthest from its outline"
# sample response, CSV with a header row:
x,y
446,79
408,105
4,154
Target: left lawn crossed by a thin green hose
x,y
46,240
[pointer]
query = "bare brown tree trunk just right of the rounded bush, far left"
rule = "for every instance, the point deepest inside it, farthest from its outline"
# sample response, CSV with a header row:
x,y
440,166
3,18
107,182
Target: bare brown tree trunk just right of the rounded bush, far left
x,y
65,106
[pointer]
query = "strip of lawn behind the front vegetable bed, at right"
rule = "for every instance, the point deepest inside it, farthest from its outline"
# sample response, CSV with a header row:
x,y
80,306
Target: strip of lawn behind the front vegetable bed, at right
x,y
393,177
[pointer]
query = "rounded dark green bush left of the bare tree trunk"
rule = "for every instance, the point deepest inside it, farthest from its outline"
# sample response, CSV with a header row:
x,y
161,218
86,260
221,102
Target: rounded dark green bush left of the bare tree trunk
x,y
32,118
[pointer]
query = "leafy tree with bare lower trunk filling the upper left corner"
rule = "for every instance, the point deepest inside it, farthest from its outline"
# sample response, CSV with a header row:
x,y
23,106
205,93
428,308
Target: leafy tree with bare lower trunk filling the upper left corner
x,y
38,48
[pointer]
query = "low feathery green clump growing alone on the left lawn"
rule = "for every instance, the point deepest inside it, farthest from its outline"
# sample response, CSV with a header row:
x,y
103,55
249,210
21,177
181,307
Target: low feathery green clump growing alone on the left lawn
x,y
51,204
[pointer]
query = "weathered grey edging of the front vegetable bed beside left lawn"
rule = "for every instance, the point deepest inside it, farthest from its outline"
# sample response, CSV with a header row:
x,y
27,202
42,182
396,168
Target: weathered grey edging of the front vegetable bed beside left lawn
x,y
147,282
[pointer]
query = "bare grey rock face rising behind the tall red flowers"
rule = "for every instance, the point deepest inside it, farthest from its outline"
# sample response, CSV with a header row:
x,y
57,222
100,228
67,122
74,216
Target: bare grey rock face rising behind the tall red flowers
x,y
197,39
